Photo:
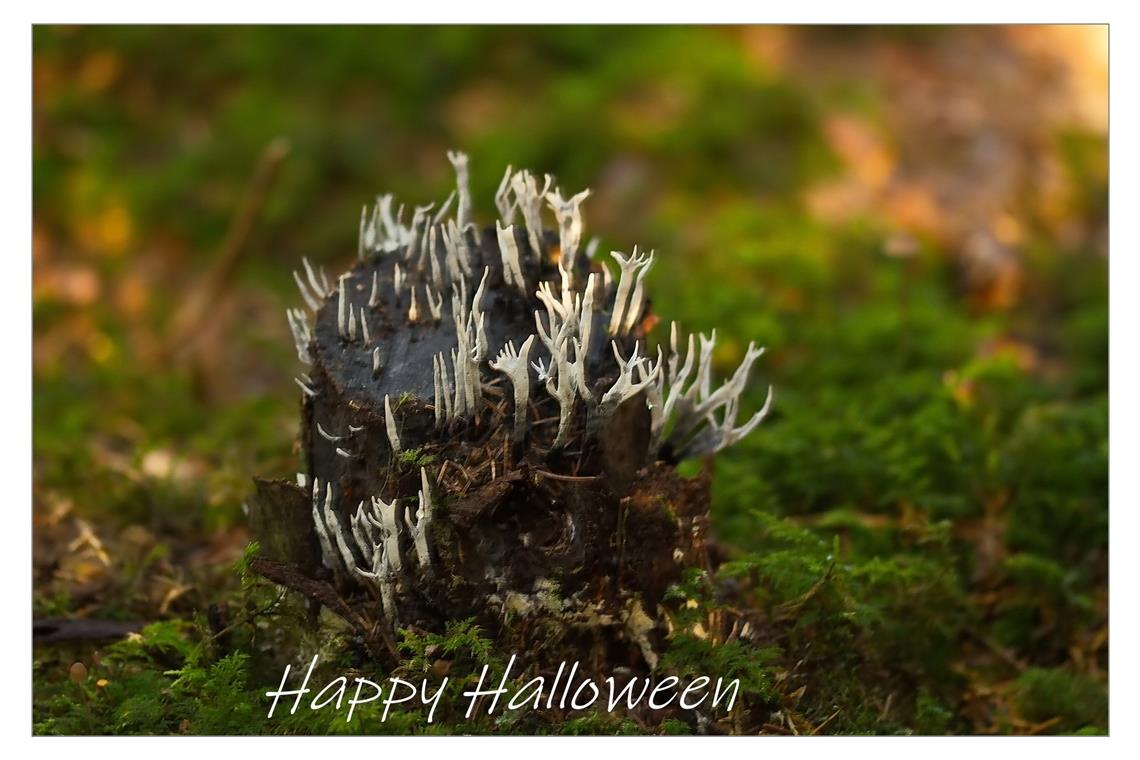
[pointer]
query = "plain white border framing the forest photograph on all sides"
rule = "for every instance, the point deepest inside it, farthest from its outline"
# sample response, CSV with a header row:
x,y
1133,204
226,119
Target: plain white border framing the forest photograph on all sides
x,y
15,301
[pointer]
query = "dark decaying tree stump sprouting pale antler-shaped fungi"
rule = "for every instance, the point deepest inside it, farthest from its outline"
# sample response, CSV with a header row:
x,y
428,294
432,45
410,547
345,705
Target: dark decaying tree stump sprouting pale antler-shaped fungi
x,y
486,434
